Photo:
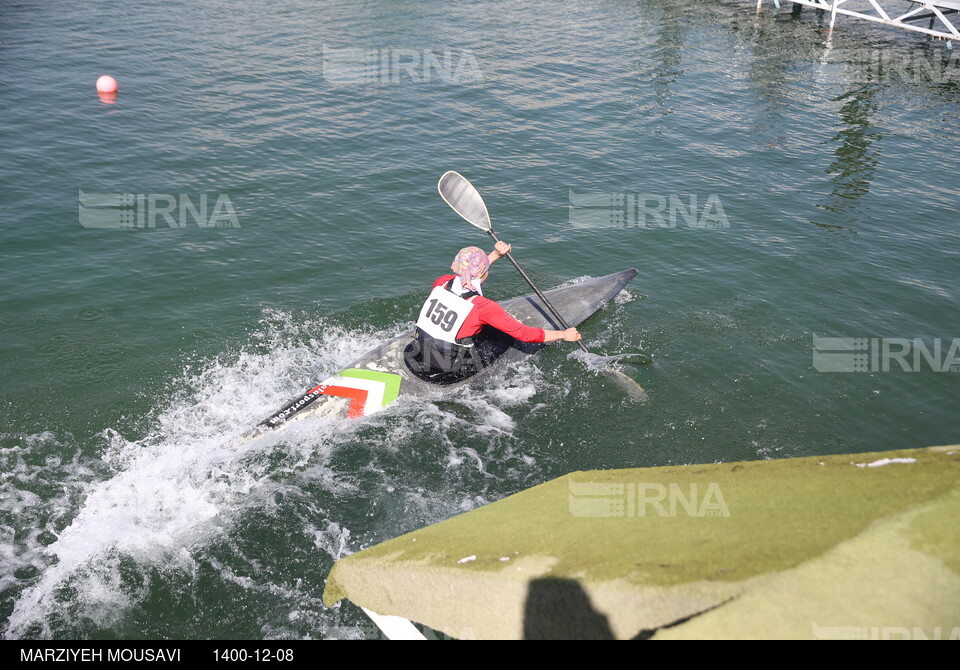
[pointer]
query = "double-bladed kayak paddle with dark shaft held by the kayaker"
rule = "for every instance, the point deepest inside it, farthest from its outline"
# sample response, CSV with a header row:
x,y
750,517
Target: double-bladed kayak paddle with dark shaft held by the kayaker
x,y
465,200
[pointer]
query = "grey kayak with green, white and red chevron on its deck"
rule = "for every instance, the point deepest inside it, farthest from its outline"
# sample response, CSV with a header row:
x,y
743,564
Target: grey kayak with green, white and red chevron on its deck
x,y
375,380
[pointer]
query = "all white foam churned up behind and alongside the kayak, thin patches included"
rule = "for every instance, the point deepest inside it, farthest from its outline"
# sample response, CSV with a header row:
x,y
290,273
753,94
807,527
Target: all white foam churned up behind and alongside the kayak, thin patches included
x,y
154,503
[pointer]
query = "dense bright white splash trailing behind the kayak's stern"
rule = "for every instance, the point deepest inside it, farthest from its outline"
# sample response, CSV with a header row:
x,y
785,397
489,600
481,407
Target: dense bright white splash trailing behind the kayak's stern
x,y
179,486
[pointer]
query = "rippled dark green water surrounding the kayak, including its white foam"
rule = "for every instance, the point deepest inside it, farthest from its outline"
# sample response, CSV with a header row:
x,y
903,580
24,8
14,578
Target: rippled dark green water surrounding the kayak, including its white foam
x,y
131,358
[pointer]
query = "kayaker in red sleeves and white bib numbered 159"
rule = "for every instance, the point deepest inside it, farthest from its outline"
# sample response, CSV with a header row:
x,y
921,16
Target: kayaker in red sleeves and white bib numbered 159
x,y
445,347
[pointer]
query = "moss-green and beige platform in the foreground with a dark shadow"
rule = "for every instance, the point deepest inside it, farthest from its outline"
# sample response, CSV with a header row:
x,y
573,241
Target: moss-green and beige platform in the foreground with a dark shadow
x,y
862,546
